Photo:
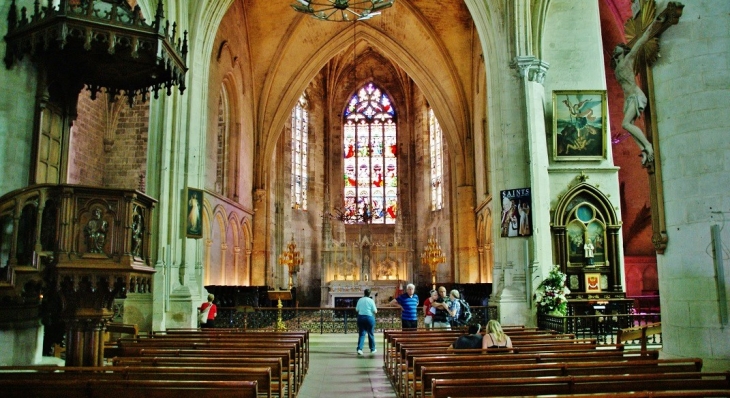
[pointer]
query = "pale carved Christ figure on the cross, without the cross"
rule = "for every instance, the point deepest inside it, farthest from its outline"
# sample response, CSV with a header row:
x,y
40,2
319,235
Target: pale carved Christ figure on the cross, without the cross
x,y
634,99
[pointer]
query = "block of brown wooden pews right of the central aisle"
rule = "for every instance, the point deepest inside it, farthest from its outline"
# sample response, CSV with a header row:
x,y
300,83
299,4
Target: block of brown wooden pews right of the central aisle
x,y
420,364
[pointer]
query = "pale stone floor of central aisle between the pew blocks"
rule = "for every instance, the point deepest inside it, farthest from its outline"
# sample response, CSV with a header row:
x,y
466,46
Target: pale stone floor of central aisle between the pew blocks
x,y
335,369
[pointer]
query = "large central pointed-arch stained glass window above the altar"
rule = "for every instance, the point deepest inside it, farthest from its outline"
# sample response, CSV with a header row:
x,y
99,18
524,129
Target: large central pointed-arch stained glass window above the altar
x,y
370,158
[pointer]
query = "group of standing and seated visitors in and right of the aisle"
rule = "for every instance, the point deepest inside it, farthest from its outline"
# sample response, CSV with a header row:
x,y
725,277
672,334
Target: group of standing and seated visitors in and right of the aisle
x,y
439,312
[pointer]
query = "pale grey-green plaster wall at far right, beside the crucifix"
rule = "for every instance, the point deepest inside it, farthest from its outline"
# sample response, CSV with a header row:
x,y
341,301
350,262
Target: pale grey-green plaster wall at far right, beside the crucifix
x,y
692,88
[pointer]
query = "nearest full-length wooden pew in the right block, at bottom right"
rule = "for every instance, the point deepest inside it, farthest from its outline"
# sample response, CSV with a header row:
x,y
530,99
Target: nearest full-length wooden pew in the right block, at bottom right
x,y
521,386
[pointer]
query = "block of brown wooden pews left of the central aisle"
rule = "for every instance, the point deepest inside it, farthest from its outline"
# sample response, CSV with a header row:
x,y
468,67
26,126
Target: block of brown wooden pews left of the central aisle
x,y
177,364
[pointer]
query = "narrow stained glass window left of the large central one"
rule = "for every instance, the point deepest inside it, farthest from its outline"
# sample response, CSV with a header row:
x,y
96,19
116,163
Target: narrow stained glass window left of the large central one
x,y
299,152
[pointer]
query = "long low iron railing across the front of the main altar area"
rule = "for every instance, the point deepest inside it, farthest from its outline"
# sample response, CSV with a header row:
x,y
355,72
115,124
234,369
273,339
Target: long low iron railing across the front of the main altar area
x,y
323,320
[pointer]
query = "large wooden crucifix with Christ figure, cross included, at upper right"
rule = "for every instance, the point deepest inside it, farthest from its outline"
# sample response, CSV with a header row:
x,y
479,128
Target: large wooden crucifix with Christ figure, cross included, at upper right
x,y
636,57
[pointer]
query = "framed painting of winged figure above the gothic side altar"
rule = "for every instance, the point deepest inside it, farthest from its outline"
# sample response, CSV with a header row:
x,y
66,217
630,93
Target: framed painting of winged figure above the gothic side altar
x,y
579,125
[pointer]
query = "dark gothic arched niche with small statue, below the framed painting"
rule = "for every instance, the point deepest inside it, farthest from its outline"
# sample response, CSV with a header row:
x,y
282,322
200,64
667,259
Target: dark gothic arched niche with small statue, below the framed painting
x,y
585,237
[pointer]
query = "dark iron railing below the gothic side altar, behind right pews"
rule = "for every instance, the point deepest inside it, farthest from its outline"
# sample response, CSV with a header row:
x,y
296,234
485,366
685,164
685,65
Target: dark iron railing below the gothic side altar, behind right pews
x,y
603,328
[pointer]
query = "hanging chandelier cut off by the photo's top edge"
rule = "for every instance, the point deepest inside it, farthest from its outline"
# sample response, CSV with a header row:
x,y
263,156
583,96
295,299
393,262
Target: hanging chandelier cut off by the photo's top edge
x,y
342,10
